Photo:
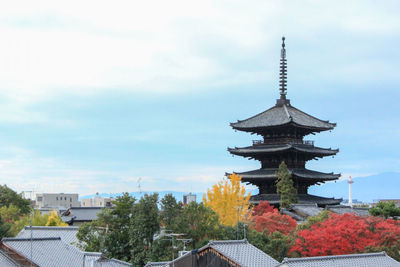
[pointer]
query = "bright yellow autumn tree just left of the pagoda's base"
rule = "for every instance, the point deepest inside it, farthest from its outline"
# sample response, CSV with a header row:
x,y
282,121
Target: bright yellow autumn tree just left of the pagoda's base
x,y
226,197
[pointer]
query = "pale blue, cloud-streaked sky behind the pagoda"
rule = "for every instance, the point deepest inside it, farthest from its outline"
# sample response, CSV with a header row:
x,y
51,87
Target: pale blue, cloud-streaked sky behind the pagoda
x,y
100,96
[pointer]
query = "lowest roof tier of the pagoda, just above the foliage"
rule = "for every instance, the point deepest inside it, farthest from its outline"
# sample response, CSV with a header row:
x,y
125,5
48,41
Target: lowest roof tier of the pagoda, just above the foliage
x,y
303,199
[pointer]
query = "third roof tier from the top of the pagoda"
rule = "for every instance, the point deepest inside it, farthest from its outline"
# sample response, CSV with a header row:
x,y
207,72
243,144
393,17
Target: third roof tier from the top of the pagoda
x,y
270,174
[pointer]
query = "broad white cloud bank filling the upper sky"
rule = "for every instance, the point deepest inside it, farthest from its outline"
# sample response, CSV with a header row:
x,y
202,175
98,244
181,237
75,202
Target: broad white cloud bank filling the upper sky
x,y
85,48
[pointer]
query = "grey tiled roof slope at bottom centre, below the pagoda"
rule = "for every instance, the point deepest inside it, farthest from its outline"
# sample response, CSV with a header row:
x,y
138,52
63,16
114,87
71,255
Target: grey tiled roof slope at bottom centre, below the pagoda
x,y
243,253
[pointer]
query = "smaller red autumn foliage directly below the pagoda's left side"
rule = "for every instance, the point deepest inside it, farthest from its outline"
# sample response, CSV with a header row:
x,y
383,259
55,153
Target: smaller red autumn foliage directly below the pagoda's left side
x,y
274,222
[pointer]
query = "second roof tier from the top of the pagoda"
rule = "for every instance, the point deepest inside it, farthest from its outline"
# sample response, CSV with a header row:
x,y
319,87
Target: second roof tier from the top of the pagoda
x,y
257,151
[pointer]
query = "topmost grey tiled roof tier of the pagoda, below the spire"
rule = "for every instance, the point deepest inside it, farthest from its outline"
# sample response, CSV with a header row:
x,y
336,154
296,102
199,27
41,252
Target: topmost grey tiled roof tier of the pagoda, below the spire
x,y
282,115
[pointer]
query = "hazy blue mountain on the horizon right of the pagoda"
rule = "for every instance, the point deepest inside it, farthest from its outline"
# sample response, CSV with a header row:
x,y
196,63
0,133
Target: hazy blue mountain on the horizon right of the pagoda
x,y
366,189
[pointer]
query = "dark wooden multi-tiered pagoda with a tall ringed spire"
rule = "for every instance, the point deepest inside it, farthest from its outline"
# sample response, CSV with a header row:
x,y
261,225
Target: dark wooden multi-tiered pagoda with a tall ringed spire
x,y
283,128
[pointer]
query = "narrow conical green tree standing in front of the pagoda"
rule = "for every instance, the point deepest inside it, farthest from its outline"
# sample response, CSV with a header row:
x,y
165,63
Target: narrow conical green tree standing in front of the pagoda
x,y
285,187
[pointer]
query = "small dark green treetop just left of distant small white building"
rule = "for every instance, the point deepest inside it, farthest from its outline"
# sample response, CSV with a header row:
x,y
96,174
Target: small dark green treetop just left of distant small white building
x,y
170,210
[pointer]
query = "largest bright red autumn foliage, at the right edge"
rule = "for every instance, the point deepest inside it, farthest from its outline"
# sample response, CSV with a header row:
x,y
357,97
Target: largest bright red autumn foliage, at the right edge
x,y
346,234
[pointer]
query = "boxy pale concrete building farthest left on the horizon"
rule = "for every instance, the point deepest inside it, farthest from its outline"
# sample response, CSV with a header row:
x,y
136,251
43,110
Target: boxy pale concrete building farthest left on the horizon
x,y
57,200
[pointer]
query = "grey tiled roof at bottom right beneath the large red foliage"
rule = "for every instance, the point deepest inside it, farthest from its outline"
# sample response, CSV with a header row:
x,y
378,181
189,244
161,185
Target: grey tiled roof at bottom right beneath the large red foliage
x,y
359,260
